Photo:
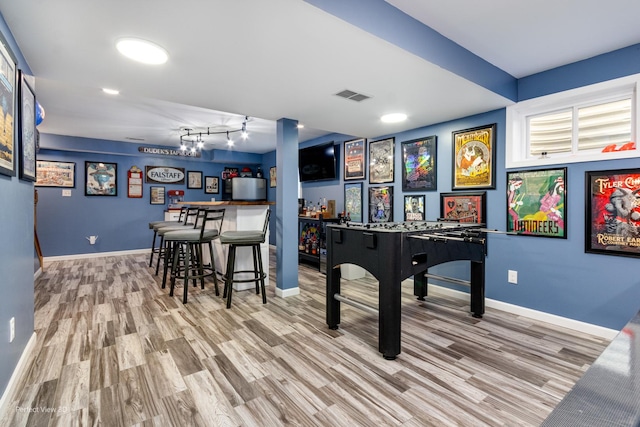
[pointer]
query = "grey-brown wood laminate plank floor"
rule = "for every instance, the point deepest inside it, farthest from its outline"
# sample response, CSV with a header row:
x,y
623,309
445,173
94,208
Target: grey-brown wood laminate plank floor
x,y
113,349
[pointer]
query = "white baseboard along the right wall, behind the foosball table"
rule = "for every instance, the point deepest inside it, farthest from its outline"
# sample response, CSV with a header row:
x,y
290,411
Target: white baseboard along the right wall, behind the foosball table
x,y
564,322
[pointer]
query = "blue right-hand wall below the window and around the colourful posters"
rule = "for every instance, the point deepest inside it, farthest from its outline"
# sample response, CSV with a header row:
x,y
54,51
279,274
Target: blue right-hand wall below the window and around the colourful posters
x,y
554,275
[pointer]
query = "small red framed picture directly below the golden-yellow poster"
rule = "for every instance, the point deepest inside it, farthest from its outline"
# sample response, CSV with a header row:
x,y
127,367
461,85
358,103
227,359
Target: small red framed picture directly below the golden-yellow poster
x,y
464,207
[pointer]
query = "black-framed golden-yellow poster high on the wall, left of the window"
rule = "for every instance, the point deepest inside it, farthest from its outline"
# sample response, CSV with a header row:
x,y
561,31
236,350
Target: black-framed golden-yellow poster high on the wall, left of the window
x,y
474,158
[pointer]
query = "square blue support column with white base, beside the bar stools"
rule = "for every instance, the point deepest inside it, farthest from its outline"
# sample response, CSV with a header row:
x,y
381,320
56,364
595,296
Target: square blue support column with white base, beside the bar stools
x,y
287,208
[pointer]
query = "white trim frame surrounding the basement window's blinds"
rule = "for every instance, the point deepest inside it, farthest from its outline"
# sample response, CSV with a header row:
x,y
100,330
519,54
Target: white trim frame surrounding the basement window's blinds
x,y
516,151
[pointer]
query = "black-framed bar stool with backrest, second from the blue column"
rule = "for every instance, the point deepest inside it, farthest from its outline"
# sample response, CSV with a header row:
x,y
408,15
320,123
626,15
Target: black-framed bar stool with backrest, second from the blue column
x,y
189,242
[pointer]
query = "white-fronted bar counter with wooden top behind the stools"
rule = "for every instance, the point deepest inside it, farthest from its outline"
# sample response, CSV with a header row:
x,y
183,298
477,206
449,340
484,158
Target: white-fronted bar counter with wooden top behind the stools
x,y
239,215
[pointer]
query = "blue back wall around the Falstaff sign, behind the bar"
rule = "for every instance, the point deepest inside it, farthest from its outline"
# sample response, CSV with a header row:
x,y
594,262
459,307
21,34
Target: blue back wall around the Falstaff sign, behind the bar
x,y
120,222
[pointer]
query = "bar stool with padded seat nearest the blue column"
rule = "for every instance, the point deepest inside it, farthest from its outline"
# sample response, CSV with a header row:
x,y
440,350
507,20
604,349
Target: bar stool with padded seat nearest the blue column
x,y
244,238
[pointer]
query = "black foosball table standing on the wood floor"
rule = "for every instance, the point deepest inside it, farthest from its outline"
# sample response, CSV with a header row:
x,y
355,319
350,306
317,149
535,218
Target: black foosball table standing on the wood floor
x,y
393,252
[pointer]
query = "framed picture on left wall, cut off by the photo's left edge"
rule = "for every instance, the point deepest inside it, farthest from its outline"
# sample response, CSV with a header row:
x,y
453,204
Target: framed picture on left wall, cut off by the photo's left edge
x,y
7,108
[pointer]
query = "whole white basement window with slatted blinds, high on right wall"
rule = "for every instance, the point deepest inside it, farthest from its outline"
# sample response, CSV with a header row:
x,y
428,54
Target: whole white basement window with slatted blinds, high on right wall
x,y
597,122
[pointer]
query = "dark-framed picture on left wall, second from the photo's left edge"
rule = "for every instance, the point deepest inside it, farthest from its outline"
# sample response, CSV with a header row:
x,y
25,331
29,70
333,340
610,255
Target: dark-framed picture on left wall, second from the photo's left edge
x,y
27,131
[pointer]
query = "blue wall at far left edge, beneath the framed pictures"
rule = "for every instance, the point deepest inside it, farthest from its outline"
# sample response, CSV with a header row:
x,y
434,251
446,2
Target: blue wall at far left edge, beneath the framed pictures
x,y
16,255
